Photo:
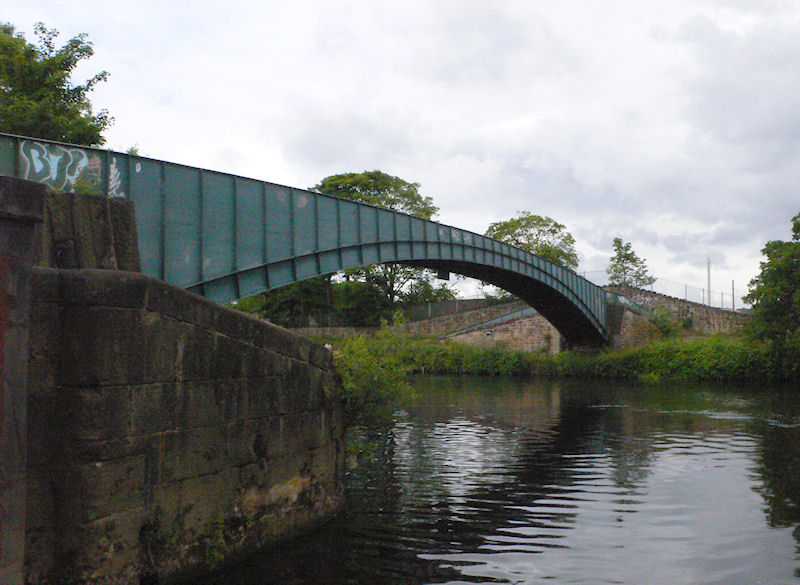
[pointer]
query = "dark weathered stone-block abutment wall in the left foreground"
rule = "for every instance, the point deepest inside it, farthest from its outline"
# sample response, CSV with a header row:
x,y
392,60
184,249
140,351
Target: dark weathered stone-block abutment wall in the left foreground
x,y
168,433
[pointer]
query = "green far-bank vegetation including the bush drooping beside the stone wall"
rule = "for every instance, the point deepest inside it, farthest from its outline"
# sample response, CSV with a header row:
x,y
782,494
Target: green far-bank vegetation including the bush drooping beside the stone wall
x,y
373,369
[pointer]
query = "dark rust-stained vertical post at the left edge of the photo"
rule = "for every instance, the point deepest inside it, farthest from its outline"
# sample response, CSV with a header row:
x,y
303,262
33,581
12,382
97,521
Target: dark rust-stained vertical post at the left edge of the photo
x,y
21,207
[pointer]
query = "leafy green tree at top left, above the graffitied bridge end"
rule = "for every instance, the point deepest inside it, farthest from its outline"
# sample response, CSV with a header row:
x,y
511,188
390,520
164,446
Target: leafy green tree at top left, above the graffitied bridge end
x,y
37,97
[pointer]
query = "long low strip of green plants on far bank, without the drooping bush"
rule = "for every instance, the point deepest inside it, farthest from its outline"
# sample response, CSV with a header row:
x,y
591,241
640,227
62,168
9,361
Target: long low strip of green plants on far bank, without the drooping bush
x,y
710,358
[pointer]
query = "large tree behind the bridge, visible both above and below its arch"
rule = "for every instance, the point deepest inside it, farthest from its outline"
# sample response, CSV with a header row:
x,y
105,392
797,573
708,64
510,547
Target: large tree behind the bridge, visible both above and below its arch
x,y
383,190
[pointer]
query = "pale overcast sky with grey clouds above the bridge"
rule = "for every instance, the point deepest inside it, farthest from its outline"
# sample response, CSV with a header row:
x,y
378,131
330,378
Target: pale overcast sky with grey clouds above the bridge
x,y
672,124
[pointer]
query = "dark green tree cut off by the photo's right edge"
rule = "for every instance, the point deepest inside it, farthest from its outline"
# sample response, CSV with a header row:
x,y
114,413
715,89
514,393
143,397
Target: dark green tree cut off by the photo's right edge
x,y
775,293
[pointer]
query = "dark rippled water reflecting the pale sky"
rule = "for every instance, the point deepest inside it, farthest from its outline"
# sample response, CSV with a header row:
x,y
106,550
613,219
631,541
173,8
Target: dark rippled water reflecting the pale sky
x,y
522,482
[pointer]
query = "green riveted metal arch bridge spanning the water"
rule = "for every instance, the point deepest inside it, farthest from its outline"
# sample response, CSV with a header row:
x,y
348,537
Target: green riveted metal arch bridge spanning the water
x,y
226,237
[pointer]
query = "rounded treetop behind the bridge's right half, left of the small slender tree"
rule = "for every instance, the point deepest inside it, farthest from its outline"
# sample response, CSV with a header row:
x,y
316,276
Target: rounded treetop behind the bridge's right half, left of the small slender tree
x,y
539,235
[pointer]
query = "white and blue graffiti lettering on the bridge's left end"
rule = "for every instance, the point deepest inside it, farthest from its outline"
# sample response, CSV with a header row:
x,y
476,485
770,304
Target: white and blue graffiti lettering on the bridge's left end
x,y
68,168
